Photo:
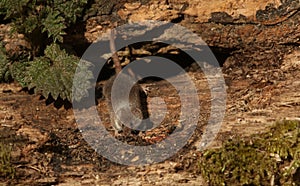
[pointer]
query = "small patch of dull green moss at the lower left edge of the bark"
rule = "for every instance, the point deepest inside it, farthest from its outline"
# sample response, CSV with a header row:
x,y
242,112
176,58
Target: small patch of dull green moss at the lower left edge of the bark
x,y
6,168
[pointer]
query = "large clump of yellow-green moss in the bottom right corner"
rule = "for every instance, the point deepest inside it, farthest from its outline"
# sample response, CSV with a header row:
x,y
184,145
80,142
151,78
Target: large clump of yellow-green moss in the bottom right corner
x,y
273,156
